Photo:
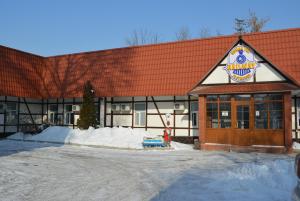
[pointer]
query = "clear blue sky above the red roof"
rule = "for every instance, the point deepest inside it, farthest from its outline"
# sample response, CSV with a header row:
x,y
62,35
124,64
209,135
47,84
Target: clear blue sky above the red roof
x,y
51,27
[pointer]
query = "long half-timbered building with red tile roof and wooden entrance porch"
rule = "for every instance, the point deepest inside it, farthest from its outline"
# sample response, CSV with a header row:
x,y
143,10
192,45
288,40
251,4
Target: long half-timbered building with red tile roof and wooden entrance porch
x,y
229,91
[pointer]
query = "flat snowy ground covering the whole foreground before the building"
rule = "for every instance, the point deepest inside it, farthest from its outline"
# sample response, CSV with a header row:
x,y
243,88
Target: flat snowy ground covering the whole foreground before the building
x,y
43,171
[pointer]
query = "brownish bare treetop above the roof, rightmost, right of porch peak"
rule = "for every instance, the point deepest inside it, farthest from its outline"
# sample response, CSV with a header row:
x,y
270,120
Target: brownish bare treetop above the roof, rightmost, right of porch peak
x,y
255,24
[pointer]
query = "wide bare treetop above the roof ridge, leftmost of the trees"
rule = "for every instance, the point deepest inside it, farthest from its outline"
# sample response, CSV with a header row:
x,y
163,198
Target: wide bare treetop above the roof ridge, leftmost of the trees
x,y
142,37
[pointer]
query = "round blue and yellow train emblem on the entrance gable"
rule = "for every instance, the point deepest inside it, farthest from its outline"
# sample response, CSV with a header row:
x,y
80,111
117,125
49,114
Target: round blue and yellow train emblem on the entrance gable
x,y
241,65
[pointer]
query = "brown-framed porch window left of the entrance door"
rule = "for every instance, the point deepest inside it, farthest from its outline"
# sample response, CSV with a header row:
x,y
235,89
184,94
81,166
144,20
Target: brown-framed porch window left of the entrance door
x,y
218,111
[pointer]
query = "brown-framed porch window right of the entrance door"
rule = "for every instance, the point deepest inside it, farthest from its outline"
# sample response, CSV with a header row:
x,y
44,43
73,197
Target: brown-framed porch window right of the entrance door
x,y
268,111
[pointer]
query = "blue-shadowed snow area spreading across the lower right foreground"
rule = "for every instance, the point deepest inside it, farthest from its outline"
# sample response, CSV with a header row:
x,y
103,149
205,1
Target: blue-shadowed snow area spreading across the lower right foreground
x,y
265,180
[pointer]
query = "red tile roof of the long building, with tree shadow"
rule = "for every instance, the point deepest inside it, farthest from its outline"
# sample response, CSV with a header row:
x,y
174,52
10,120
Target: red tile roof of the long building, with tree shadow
x,y
150,70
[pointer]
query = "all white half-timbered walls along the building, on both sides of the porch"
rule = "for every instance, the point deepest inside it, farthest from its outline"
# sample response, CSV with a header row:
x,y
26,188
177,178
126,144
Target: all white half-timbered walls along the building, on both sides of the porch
x,y
39,112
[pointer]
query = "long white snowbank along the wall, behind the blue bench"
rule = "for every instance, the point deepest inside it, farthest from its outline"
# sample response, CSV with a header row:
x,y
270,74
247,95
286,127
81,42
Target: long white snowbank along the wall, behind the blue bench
x,y
110,137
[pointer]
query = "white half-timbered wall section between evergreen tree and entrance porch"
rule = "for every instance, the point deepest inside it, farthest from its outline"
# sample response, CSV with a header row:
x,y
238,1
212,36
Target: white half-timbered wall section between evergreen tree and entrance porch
x,y
156,109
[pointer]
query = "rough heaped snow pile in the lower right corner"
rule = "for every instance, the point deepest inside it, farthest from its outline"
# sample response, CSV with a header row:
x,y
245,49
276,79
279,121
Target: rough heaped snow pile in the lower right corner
x,y
271,180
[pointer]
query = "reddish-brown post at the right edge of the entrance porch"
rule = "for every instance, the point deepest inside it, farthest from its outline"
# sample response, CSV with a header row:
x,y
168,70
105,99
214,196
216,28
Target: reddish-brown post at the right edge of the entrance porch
x,y
288,121
